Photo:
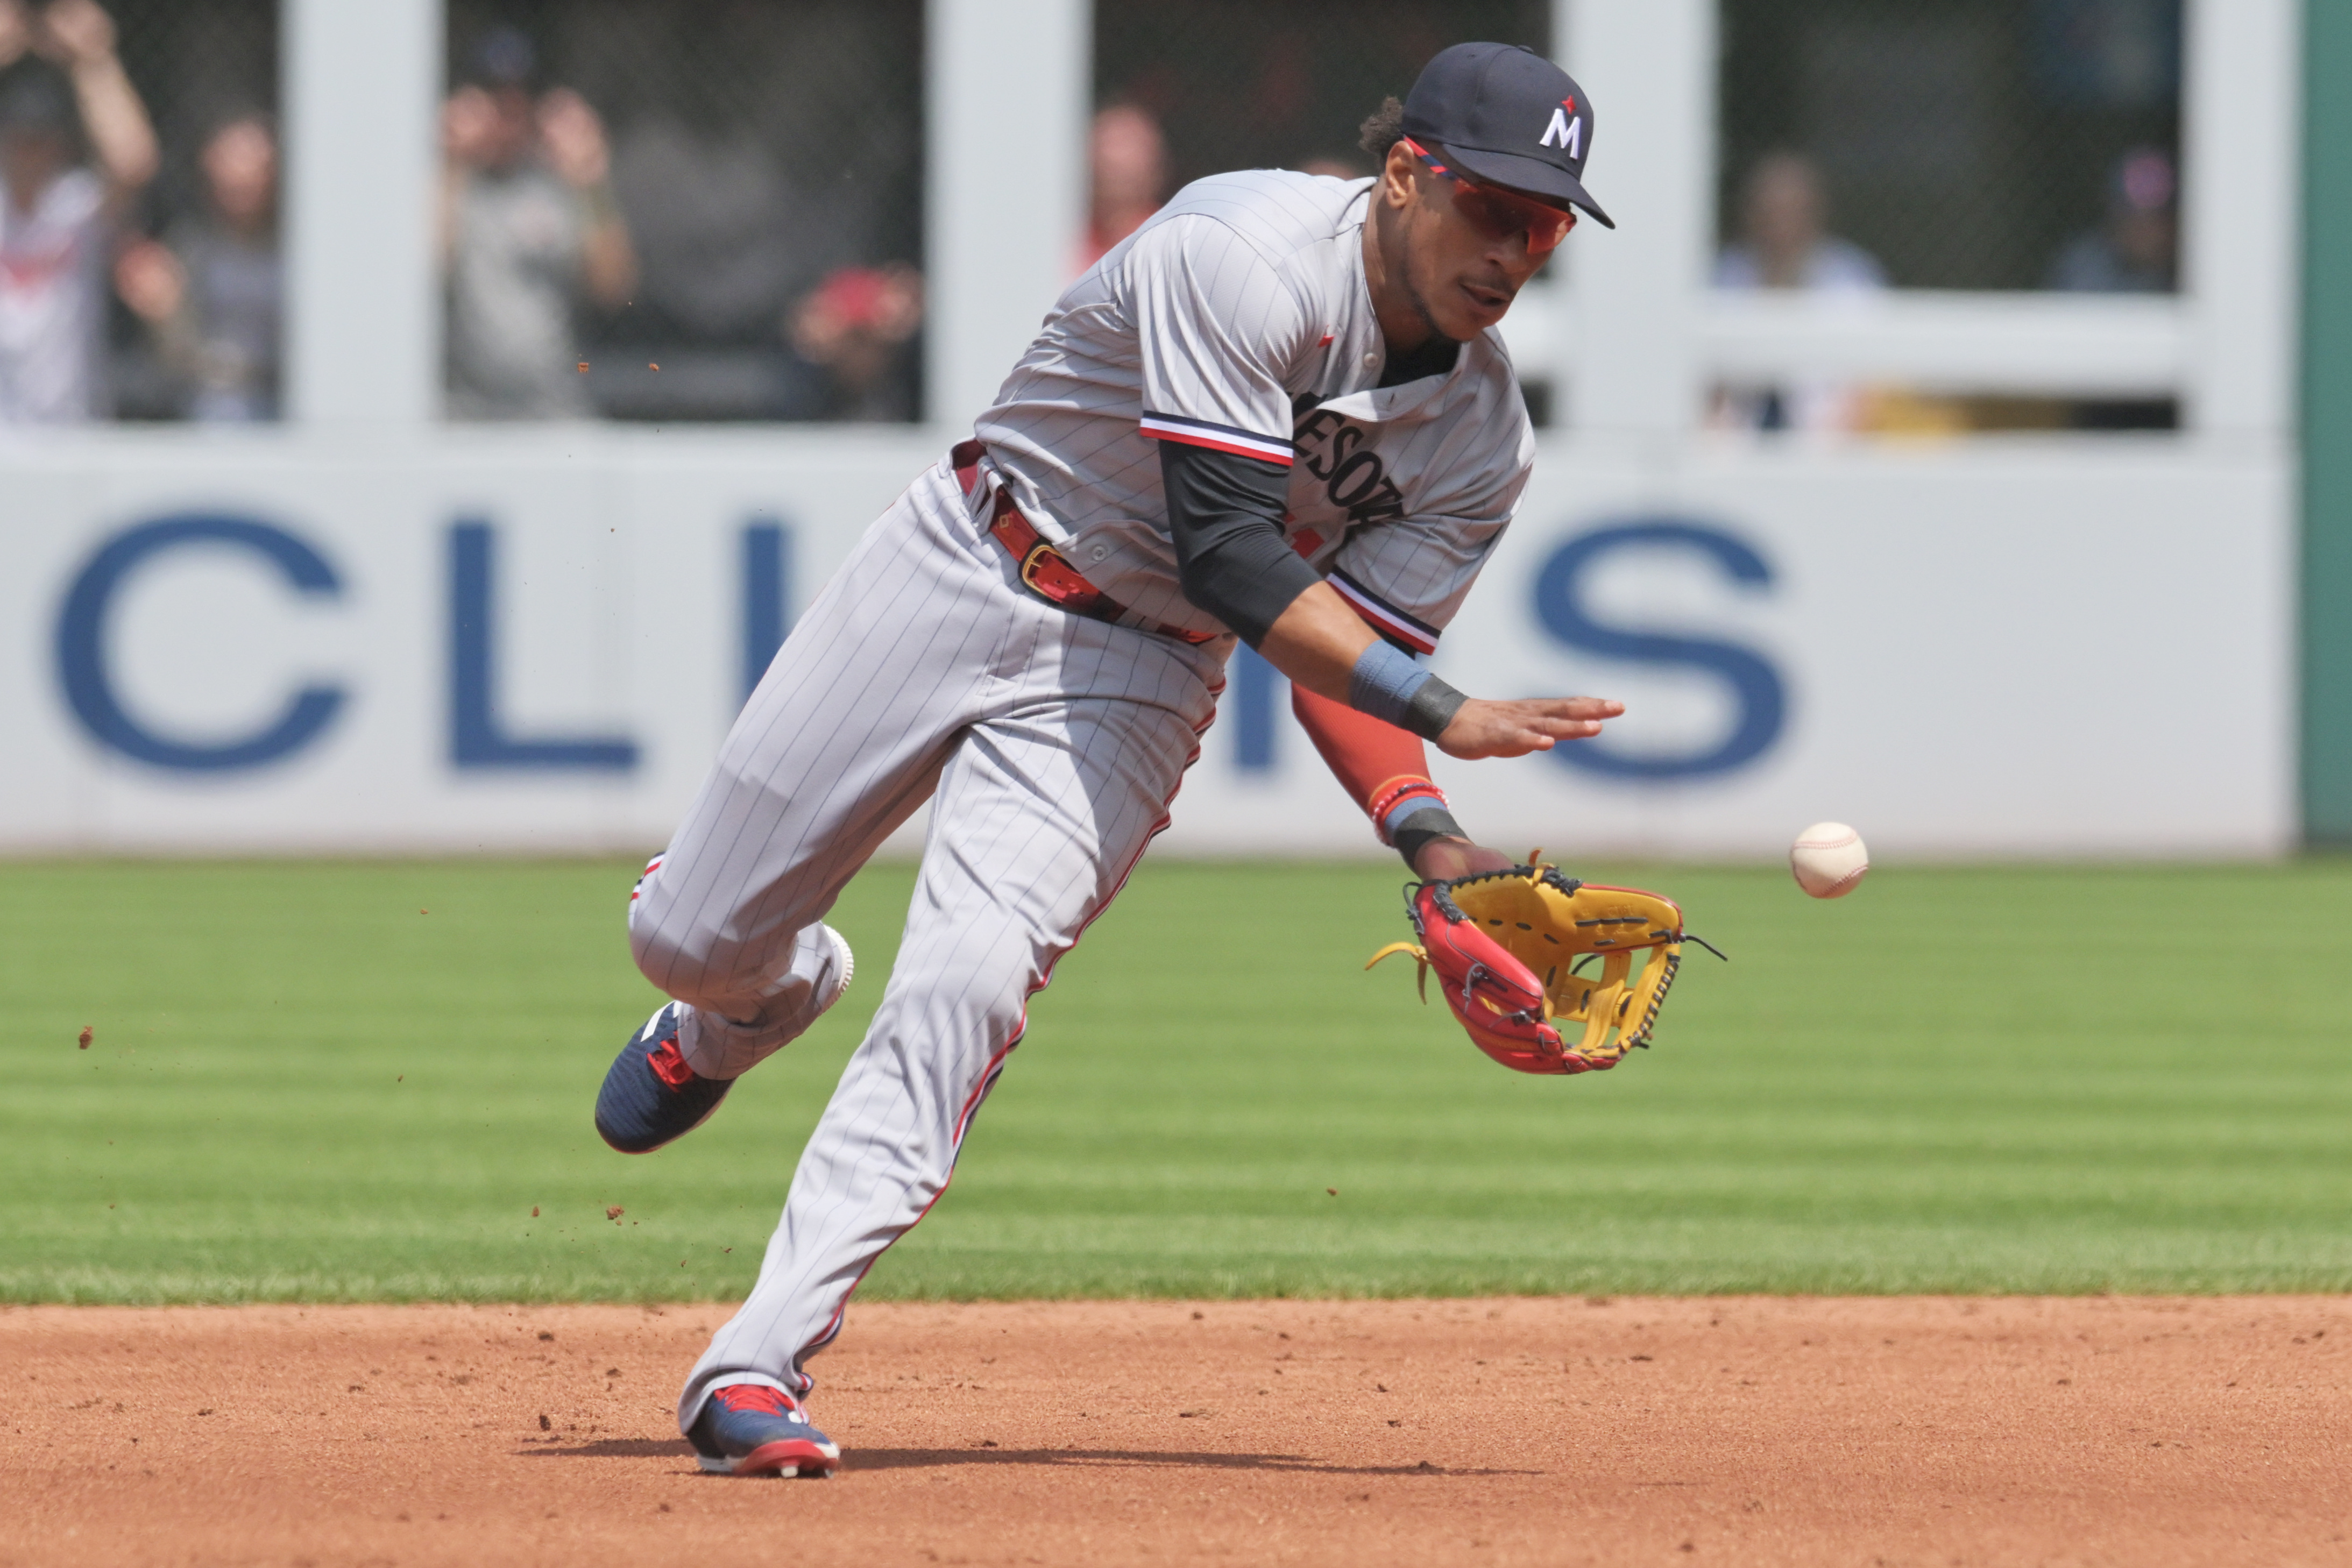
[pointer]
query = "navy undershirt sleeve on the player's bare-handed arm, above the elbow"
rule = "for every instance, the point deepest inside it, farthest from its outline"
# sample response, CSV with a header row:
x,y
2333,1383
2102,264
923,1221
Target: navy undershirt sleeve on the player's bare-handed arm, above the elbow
x,y
1231,558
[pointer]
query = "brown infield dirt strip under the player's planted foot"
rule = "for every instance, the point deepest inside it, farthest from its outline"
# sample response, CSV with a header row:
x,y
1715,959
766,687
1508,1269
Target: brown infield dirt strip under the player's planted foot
x,y
1716,1430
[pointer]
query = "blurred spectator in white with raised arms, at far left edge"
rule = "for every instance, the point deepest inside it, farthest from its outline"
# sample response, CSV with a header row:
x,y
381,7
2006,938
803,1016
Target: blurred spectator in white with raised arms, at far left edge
x,y
58,217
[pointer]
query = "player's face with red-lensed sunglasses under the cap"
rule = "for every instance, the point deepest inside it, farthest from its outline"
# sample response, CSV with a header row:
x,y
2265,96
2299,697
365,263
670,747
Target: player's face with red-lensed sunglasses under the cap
x,y
1466,248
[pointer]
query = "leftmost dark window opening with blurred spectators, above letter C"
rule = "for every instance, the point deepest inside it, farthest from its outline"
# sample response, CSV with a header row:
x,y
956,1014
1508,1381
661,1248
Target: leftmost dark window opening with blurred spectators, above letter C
x,y
140,145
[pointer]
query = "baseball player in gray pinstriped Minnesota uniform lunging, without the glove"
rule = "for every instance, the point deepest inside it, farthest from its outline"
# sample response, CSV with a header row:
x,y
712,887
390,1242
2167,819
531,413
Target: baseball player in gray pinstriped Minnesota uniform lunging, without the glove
x,y
1281,415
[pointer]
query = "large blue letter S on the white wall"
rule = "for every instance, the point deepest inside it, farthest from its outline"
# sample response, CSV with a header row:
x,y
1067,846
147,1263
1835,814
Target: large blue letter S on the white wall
x,y
1756,685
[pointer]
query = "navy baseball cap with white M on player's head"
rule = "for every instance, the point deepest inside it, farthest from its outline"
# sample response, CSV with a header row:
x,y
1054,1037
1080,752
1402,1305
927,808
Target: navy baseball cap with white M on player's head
x,y
1511,119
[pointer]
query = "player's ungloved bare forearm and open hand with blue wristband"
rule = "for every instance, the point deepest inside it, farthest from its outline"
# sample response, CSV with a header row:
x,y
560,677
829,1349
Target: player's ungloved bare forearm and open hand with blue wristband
x,y
1323,645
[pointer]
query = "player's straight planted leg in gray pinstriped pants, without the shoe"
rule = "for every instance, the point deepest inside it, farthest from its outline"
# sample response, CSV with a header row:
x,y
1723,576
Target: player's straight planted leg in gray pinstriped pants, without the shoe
x,y
1041,815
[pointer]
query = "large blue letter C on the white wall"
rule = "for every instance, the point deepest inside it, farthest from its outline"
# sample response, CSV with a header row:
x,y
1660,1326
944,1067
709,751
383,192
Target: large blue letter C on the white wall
x,y
81,645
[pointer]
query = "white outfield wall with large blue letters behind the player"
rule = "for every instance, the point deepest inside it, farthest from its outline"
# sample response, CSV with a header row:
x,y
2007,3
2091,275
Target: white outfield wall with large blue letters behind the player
x,y
537,641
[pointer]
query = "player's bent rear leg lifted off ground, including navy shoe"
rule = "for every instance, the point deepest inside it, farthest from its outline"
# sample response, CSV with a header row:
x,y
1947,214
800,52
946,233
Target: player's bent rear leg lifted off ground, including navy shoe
x,y
836,749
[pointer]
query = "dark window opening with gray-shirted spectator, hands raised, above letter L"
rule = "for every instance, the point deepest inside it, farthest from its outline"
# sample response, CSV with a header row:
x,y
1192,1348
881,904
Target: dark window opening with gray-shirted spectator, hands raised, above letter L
x,y
683,213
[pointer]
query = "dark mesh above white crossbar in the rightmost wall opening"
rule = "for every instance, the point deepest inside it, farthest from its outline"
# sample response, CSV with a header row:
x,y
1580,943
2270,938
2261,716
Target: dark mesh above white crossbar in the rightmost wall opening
x,y
1956,145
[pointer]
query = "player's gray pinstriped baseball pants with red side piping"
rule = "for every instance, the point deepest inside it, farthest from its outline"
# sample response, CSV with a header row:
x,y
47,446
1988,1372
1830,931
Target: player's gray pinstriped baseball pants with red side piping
x,y
1050,749
